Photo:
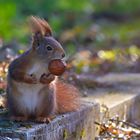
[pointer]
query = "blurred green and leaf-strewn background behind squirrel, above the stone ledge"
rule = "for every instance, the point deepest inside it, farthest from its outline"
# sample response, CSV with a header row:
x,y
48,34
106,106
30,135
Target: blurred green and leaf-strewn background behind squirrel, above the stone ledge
x,y
99,36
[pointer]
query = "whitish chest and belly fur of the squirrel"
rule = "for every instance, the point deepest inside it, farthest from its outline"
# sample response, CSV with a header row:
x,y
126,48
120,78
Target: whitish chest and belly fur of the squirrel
x,y
30,92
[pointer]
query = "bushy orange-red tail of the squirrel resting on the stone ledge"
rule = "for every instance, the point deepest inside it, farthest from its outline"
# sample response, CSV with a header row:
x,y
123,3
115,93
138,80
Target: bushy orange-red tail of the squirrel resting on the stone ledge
x,y
67,97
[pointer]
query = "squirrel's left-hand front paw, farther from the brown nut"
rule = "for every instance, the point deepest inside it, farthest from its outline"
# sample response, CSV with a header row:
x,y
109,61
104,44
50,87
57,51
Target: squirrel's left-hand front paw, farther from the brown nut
x,y
30,79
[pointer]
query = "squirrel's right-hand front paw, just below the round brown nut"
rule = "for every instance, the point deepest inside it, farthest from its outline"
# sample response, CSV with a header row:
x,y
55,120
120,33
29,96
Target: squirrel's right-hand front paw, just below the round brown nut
x,y
46,78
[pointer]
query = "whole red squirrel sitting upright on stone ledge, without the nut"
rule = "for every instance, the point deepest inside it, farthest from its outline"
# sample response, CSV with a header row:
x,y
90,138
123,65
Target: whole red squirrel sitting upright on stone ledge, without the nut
x,y
32,91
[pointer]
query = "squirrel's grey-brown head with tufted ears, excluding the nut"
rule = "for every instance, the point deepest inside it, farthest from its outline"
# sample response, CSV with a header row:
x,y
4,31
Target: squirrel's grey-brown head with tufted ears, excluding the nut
x,y
44,44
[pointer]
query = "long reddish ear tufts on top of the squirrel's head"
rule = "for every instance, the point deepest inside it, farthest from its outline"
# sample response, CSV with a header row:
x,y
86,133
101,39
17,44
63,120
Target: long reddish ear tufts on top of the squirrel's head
x,y
40,26
